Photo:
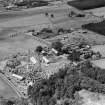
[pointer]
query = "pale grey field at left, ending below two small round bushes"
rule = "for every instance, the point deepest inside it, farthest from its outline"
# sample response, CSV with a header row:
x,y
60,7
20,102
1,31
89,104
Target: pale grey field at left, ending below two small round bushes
x,y
25,21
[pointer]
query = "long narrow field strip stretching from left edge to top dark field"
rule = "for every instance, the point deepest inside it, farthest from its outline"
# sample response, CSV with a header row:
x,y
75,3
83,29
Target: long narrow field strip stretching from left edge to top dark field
x,y
33,11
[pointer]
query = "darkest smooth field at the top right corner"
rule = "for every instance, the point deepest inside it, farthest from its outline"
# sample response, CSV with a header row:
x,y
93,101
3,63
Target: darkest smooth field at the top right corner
x,y
87,4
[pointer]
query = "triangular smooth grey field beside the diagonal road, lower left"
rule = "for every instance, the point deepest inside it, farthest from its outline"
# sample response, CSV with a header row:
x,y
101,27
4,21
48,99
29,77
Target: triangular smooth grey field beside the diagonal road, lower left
x,y
5,89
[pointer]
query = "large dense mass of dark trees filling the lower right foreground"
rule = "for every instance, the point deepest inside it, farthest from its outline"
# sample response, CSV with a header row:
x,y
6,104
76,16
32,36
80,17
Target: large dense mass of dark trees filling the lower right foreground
x,y
62,86
